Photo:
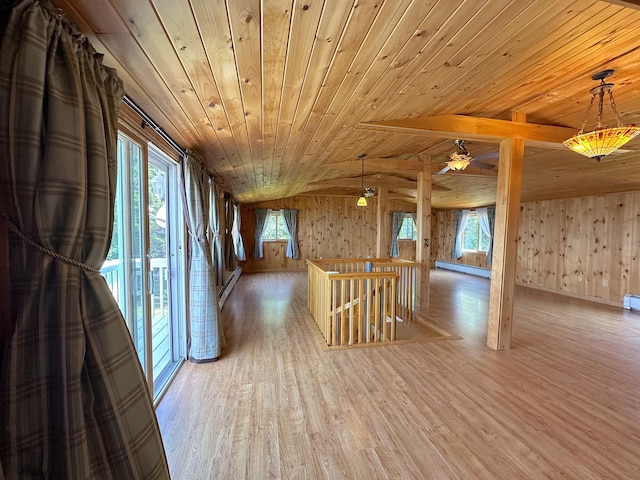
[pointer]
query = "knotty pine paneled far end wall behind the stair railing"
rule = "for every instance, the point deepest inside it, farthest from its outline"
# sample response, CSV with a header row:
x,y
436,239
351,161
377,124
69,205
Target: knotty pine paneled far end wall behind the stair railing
x,y
328,227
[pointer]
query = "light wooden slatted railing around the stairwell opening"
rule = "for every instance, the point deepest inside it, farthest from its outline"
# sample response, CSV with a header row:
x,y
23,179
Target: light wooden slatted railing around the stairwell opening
x,y
355,301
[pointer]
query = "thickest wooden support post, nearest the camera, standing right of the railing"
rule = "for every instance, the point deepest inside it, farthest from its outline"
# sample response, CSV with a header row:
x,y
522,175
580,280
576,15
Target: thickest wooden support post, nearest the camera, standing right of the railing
x,y
505,242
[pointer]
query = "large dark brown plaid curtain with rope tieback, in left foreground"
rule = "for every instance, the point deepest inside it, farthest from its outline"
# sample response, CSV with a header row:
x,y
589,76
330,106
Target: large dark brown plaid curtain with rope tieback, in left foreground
x,y
73,398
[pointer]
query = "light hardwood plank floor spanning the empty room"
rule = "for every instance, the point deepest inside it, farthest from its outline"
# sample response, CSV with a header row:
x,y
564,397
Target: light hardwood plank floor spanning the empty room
x,y
564,402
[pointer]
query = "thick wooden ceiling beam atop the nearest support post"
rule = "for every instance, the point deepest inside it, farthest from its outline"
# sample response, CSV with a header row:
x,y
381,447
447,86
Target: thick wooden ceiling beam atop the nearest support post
x,y
476,128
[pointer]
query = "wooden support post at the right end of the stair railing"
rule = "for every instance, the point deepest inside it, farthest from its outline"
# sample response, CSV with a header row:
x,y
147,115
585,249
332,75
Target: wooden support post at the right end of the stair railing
x,y
423,234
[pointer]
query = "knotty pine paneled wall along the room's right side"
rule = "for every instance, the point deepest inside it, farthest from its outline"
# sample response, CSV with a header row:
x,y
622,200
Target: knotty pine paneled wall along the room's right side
x,y
583,246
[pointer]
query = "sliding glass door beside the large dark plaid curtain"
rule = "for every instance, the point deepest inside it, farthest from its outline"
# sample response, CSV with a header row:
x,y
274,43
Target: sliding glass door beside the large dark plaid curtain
x,y
145,265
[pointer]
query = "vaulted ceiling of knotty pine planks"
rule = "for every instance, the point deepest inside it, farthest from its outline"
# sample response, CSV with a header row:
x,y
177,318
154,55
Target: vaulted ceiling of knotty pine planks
x,y
280,97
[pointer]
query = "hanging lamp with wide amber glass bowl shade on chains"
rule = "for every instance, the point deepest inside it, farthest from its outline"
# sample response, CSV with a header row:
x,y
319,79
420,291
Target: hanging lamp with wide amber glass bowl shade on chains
x,y
601,141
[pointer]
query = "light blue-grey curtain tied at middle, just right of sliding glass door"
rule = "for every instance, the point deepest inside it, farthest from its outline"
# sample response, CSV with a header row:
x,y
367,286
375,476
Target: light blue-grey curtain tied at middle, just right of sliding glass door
x,y
206,339
